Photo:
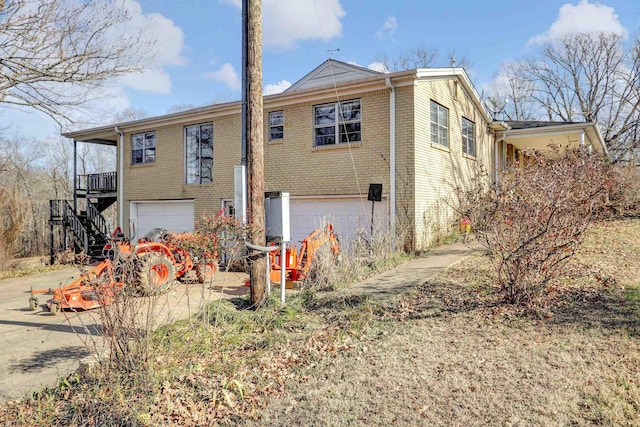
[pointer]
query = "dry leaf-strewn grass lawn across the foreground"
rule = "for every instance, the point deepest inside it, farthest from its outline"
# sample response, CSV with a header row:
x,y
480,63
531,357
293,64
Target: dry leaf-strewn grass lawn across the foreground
x,y
450,353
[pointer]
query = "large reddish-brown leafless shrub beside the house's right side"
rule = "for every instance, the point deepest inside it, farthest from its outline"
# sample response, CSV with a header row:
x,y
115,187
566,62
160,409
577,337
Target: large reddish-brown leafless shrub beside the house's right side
x,y
535,219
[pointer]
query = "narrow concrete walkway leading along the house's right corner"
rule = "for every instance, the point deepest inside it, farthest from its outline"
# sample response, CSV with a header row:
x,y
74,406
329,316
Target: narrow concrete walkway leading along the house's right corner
x,y
414,272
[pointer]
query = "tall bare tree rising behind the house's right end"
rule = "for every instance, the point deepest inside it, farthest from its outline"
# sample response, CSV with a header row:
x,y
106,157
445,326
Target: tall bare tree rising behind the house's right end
x,y
587,77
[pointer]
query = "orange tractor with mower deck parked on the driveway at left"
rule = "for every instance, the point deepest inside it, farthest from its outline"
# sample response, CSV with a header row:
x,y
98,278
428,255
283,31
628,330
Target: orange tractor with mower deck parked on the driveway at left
x,y
152,266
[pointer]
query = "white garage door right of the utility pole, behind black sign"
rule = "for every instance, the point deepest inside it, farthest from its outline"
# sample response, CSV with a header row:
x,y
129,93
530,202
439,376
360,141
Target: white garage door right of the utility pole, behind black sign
x,y
349,216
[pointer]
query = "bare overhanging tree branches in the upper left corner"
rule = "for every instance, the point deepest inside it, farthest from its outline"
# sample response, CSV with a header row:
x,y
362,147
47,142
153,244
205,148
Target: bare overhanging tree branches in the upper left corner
x,y
56,53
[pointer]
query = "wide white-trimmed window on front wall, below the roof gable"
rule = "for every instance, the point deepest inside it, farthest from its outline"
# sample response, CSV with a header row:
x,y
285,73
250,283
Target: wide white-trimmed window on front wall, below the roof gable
x,y
337,123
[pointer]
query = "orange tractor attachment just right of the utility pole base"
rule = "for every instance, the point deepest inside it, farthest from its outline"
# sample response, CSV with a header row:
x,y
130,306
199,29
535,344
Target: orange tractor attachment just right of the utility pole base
x,y
298,265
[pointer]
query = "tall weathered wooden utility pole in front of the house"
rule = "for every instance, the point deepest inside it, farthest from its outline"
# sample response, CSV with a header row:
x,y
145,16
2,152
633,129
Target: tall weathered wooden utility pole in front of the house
x,y
255,154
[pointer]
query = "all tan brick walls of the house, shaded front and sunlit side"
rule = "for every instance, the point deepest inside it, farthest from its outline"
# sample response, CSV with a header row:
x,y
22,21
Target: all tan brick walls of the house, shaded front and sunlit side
x,y
427,175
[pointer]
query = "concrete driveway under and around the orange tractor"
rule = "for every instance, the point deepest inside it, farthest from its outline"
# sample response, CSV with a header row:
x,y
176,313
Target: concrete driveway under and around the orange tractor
x,y
37,348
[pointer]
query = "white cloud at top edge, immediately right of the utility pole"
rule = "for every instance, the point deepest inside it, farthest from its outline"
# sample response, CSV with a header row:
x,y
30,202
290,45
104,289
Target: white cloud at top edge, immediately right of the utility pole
x,y
285,22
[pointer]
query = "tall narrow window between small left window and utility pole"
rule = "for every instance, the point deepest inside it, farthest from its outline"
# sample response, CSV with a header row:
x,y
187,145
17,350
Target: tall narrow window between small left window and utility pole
x,y
199,153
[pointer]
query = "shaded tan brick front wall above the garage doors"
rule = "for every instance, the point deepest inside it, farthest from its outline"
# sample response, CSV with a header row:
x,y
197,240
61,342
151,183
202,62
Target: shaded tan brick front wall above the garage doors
x,y
291,164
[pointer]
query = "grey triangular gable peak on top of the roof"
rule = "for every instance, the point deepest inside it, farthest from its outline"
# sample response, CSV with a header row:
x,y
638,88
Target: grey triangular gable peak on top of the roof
x,y
330,72
